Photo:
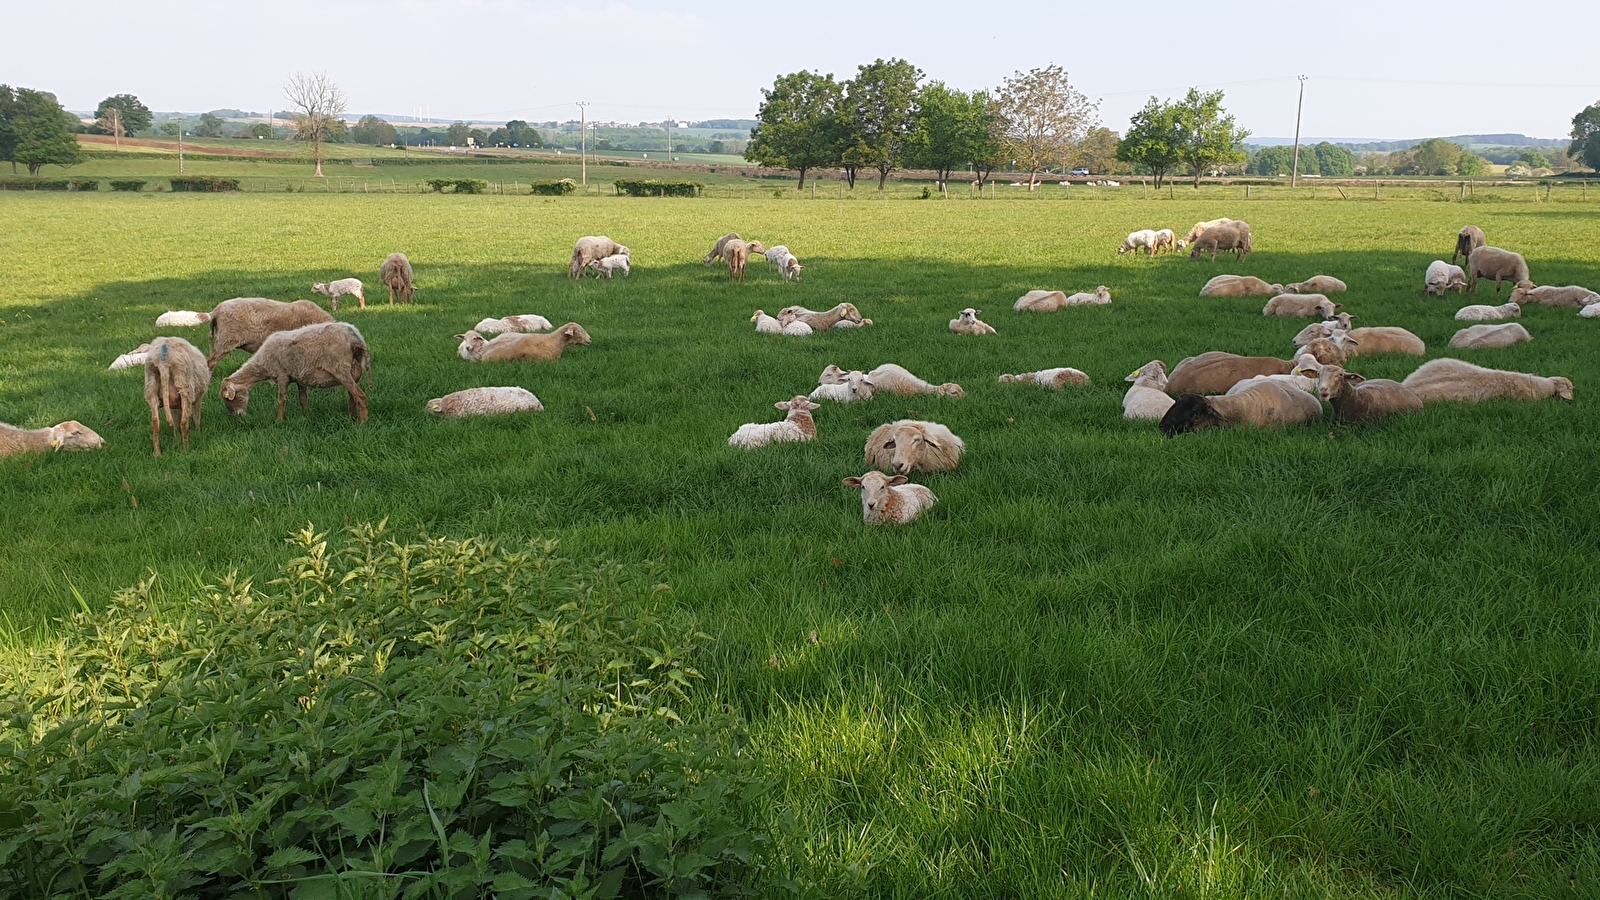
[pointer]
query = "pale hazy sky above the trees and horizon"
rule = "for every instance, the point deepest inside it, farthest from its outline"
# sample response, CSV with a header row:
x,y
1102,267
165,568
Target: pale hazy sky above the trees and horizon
x,y
1375,70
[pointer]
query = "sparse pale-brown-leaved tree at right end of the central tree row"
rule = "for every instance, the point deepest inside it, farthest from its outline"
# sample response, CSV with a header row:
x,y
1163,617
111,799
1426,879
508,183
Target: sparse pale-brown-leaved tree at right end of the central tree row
x,y
1044,116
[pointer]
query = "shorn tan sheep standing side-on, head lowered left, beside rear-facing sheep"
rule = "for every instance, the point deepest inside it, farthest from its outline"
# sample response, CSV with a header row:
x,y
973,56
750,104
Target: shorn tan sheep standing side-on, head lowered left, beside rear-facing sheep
x,y
314,356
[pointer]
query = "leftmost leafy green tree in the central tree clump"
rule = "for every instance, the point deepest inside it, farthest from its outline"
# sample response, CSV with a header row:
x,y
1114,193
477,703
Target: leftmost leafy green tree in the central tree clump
x,y
799,124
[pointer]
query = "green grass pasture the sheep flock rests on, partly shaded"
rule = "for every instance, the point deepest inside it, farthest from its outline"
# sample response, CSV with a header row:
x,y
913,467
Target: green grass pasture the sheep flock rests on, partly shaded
x,y
1326,662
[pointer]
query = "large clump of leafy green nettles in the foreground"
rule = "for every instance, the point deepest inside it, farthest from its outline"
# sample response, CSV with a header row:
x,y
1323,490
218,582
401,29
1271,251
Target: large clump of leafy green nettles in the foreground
x,y
388,720
